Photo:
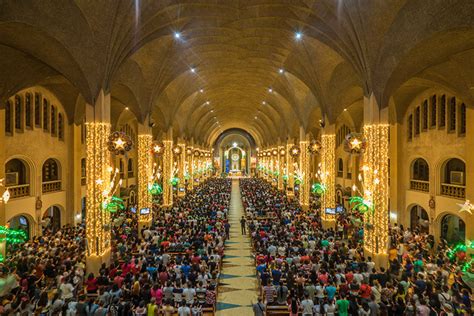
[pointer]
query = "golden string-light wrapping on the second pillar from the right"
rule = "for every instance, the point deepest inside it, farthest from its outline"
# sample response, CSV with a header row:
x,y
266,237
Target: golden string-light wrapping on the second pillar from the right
x,y
328,175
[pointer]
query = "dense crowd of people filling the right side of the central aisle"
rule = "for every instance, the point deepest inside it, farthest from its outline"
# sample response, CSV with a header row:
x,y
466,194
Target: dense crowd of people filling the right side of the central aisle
x,y
316,271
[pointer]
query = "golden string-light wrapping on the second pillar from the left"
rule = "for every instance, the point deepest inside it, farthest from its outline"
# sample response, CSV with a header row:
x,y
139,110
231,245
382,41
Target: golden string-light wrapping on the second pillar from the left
x,y
145,175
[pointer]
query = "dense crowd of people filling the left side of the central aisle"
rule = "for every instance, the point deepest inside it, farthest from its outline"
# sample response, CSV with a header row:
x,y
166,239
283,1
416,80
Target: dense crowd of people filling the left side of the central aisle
x,y
171,266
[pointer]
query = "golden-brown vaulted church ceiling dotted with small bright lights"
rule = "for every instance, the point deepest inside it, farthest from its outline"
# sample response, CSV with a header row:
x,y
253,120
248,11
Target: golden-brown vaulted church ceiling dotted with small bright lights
x,y
202,67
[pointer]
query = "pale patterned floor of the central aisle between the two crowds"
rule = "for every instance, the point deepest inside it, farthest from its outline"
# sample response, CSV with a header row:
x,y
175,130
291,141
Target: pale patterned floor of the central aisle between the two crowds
x,y
238,285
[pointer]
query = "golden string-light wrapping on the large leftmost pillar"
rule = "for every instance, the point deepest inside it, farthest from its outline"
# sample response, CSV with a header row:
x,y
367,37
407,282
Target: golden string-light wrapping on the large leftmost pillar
x,y
97,179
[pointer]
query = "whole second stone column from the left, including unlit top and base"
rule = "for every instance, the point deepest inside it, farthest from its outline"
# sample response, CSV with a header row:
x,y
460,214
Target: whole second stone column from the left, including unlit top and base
x,y
145,165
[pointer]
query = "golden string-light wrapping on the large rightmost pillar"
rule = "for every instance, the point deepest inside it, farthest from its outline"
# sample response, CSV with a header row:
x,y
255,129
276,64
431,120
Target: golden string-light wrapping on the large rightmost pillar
x,y
375,172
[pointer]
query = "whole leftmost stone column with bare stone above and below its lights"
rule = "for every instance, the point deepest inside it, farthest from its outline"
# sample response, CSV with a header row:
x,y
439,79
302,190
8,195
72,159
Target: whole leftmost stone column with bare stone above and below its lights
x,y
97,180
